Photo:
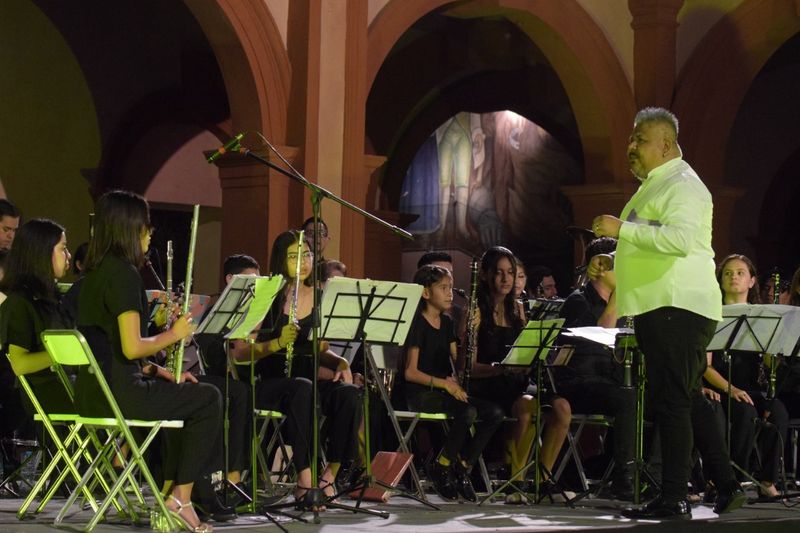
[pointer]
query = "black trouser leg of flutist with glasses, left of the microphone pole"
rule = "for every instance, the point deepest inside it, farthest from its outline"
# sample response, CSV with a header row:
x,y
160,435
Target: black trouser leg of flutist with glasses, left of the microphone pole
x,y
292,397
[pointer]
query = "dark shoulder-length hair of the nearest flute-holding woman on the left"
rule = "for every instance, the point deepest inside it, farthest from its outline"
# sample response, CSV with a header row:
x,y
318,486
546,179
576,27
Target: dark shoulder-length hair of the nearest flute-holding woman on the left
x,y
119,219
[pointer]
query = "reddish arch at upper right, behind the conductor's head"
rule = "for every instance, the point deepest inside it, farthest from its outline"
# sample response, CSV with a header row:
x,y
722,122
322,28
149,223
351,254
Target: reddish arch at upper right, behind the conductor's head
x,y
712,85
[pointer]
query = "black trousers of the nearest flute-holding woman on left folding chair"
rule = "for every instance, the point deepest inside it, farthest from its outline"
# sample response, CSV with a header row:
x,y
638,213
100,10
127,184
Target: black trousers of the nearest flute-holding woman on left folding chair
x,y
194,450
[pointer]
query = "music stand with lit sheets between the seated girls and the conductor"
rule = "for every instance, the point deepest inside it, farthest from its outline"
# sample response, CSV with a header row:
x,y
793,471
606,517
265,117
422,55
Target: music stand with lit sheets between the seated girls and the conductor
x,y
529,350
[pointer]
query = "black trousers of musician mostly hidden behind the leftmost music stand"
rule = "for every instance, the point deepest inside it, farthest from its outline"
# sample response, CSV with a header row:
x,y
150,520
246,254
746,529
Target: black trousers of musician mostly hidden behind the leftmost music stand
x,y
238,418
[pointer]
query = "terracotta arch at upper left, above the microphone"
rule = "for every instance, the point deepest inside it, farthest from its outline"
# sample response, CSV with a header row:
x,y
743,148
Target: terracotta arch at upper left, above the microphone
x,y
253,61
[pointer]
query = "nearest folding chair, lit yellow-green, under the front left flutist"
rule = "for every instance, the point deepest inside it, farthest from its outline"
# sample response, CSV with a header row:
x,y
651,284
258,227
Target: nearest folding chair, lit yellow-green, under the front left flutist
x,y
69,347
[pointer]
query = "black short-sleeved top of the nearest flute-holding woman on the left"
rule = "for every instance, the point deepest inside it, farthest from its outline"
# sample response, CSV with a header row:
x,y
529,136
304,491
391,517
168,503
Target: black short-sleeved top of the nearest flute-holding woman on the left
x,y
113,288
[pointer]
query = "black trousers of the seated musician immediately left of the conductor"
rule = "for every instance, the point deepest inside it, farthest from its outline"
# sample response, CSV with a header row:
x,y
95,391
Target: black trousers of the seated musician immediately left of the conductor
x,y
590,396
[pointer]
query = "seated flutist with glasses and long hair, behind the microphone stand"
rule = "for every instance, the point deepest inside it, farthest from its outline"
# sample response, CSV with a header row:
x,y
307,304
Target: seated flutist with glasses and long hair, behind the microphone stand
x,y
340,399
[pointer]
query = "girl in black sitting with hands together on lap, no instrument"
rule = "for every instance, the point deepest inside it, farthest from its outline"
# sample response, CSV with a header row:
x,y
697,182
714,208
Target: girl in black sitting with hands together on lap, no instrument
x,y
432,387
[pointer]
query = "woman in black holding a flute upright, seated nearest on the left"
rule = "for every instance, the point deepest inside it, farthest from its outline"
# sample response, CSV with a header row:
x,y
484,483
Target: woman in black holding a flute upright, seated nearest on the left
x,y
112,314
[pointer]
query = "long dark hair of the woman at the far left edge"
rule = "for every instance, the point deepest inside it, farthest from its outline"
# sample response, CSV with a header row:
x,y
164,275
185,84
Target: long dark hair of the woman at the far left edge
x,y
29,265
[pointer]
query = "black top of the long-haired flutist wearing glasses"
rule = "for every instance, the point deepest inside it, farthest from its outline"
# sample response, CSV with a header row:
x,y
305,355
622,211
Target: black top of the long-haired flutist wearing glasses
x,y
274,365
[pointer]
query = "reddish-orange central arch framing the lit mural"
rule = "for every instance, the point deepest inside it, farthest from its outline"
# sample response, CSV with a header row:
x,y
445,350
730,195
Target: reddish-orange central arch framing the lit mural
x,y
589,69
